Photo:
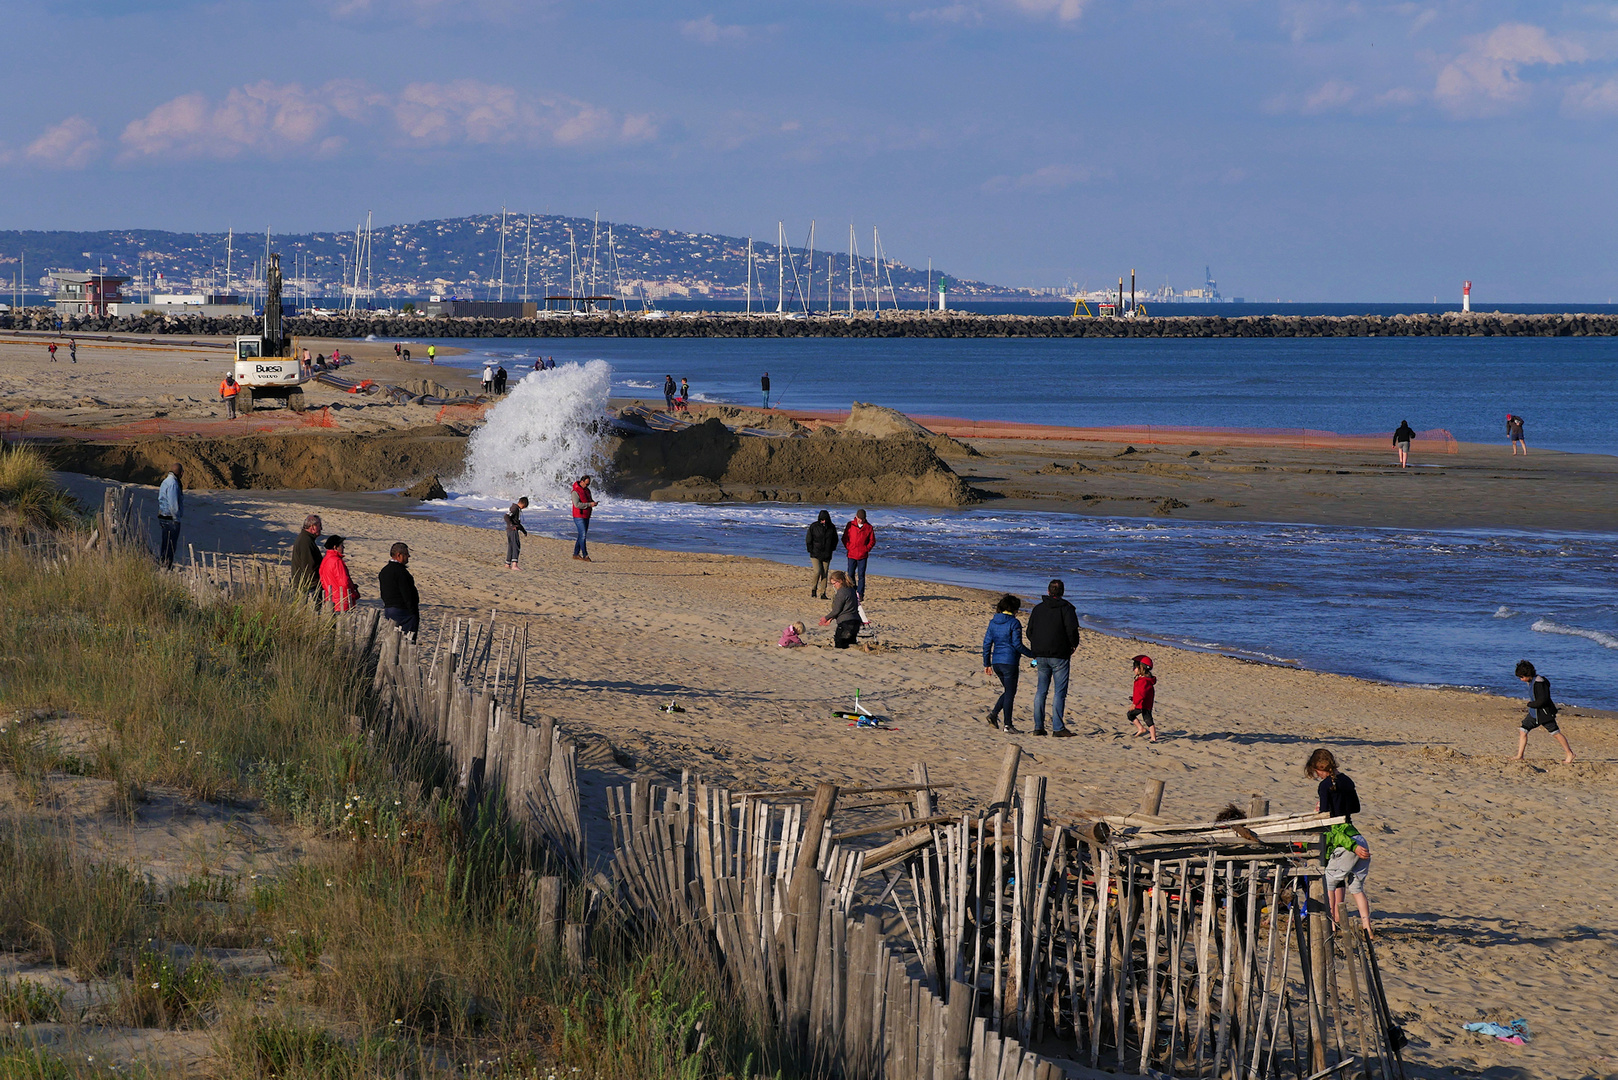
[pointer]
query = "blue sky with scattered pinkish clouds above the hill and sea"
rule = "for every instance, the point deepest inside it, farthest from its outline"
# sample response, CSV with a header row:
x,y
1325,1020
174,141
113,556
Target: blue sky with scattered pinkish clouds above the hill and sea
x,y
1303,150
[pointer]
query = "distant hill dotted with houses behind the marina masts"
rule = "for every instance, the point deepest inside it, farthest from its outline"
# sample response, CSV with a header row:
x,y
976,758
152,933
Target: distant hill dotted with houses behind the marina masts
x,y
460,257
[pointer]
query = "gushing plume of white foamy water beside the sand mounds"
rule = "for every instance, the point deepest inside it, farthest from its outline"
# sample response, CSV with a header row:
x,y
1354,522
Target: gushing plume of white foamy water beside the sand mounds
x,y
543,436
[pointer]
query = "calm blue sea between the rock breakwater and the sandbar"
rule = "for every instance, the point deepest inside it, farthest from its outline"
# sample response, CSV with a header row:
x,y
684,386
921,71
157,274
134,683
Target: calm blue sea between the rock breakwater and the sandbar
x,y
1567,389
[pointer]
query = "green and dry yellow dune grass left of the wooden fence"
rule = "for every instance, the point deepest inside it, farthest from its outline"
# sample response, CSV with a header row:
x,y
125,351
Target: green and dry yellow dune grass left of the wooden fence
x,y
413,948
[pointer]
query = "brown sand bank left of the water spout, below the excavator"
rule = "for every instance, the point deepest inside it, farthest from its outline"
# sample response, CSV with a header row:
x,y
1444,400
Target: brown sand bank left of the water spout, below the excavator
x,y
331,461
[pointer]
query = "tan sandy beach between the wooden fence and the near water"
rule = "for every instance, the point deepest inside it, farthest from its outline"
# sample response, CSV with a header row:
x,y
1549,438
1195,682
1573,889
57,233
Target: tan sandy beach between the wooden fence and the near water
x,y
1493,883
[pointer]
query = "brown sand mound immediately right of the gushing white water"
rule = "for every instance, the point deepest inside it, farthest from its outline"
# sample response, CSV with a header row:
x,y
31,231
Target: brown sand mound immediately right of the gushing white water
x,y
709,464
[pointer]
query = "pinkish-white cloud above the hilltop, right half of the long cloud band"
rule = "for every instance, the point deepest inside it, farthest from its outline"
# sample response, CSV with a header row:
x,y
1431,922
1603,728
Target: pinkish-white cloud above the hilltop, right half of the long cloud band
x,y
483,114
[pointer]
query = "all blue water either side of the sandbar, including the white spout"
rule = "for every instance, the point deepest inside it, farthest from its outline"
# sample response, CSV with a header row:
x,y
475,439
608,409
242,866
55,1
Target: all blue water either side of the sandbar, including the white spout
x,y
1438,608
